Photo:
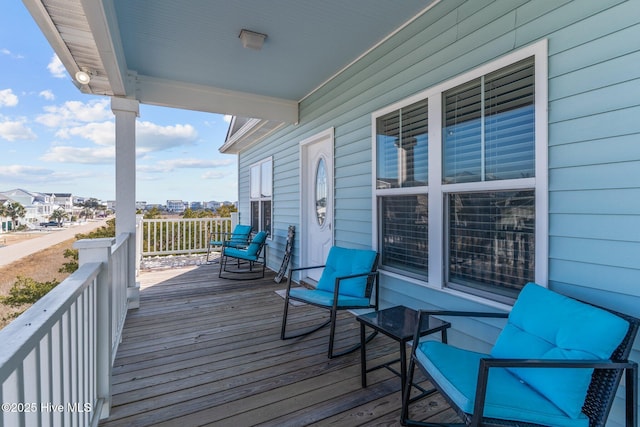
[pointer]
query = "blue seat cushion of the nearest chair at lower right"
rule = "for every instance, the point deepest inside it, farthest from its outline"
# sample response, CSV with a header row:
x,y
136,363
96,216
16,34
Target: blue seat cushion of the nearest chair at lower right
x,y
455,370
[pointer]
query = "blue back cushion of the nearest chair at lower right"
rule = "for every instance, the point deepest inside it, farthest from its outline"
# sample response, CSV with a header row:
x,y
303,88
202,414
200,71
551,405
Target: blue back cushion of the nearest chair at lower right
x,y
547,325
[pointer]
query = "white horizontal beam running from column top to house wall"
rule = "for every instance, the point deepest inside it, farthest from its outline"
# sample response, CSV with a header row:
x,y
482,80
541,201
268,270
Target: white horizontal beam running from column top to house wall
x,y
155,91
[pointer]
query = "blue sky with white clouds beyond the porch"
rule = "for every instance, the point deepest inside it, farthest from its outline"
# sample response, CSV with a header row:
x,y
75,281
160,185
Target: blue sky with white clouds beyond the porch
x,y
55,139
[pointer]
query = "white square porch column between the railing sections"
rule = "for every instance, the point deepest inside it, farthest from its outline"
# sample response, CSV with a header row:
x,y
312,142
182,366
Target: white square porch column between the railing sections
x,y
126,110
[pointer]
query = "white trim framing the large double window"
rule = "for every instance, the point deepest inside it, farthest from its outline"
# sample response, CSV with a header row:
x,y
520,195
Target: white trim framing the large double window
x,y
436,202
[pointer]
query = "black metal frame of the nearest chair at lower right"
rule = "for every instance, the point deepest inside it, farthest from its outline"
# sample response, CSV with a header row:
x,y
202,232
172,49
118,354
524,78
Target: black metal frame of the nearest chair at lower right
x,y
600,395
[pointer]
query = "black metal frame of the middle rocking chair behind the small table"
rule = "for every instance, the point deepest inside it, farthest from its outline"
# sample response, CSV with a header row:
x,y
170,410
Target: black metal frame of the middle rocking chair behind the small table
x,y
371,287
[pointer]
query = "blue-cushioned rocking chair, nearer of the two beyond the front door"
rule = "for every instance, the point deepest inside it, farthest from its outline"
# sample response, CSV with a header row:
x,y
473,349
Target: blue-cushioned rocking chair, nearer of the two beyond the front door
x,y
246,258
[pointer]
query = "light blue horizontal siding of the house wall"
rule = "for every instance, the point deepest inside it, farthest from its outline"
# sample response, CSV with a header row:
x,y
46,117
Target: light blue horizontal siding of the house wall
x,y
594,155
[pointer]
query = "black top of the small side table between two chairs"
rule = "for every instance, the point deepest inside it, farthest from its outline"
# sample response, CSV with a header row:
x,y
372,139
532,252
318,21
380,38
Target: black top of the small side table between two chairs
x,y
399,322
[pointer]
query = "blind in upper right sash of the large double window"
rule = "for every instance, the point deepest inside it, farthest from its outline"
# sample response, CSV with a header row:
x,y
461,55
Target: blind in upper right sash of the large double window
x,y
489,126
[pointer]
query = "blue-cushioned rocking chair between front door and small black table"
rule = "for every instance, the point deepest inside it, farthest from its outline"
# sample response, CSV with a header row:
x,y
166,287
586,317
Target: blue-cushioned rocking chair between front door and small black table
x,y
349,281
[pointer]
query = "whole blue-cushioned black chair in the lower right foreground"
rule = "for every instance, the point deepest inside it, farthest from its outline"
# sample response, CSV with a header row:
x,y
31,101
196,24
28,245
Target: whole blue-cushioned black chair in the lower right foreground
x,y
557,362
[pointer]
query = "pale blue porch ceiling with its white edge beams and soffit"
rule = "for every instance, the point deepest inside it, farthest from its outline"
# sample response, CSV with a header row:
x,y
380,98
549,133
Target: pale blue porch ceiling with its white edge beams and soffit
x,y
188,54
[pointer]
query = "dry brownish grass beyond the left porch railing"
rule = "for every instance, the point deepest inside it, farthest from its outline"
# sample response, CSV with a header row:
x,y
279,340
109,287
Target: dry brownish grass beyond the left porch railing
x,y
41,266
